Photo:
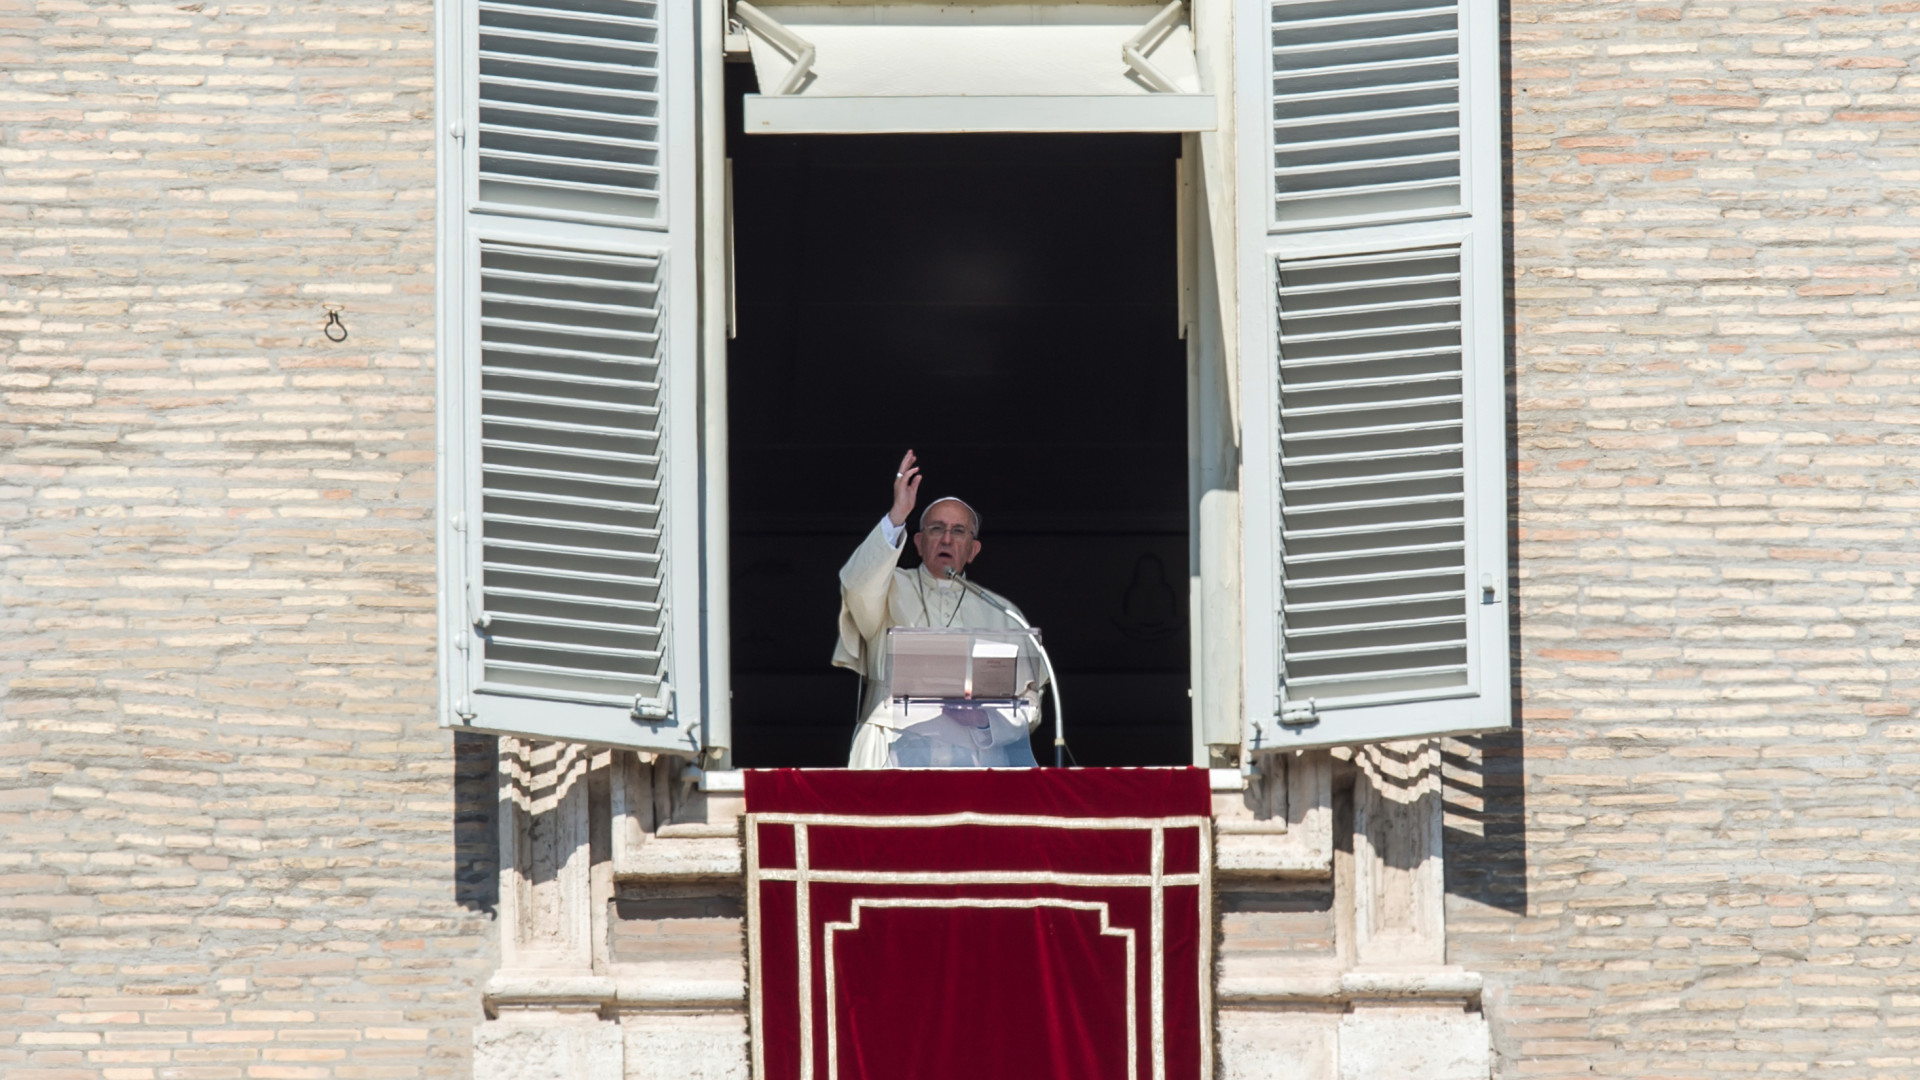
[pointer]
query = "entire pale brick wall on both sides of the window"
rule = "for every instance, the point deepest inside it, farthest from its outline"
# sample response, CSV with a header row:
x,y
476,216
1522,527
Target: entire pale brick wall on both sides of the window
x,y
239,847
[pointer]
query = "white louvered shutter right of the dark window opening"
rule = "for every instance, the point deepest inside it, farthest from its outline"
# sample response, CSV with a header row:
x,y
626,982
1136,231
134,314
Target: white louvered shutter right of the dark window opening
x,y
1374,378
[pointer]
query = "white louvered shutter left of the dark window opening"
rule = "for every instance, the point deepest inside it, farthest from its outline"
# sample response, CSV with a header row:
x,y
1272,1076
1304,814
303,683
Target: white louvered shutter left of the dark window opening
x,y
569,374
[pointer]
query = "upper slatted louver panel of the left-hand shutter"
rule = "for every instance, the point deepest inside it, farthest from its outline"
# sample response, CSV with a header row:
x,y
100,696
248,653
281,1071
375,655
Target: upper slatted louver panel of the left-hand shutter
x,y
569,107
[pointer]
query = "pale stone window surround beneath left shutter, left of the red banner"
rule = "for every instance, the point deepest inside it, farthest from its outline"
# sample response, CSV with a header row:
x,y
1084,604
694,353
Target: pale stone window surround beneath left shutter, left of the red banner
x,y
573,822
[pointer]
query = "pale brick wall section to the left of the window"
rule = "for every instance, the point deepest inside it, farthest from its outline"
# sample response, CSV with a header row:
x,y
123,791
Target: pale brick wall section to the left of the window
x,y
237,843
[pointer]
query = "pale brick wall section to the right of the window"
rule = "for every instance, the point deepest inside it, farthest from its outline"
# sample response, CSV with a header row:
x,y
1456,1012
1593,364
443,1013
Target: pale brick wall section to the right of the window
x,y
1706,854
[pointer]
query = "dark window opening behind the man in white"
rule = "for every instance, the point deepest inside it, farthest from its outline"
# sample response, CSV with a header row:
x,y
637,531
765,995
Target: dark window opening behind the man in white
x,y
1007,307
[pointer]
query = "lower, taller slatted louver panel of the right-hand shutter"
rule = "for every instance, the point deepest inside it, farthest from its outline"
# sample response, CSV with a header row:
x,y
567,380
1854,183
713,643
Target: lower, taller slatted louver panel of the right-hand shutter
x,y
1372,474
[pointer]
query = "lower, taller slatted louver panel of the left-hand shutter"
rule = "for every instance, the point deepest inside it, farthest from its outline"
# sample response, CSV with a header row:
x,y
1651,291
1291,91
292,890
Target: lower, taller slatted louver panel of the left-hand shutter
x,y
571,501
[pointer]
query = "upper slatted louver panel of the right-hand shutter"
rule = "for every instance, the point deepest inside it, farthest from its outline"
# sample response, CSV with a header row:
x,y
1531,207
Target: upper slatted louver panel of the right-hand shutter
x,y
1366,110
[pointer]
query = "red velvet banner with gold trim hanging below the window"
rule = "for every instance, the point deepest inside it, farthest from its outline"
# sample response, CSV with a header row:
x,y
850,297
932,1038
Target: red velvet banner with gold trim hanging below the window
x,y
969,925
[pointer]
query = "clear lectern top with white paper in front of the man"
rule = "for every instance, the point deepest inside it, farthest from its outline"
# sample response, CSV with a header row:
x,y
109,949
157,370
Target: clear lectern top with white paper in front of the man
x,y
961,664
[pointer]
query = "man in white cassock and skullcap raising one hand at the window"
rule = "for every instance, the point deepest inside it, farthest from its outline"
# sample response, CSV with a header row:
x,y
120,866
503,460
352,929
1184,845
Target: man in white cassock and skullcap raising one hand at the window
x,y
878,595
